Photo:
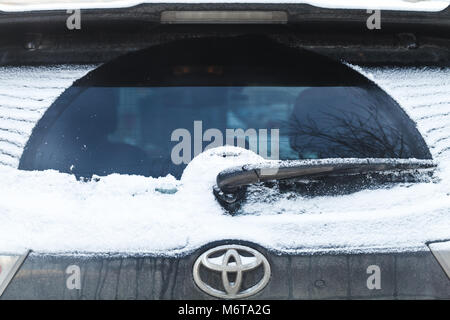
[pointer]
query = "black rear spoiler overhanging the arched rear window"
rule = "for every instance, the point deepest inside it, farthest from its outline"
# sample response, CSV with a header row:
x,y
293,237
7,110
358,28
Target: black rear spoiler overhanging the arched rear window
x,y
405,37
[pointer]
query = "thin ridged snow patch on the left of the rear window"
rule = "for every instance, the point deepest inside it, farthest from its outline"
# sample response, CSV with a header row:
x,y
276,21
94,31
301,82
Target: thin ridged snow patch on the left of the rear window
x,y
25,94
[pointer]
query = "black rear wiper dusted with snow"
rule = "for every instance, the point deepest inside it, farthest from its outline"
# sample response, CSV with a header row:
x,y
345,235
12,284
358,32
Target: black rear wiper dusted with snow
x,y
230,180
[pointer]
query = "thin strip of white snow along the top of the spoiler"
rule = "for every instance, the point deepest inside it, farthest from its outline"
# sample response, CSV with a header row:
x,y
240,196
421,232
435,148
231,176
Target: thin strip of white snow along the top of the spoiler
x,y
413,5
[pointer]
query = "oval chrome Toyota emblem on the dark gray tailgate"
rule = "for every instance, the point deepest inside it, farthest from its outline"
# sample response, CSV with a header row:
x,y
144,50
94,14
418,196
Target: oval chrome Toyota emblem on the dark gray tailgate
x,y
232,259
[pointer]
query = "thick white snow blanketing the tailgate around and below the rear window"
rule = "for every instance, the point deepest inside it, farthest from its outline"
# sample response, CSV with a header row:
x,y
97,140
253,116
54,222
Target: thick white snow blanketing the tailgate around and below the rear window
x,y
50,212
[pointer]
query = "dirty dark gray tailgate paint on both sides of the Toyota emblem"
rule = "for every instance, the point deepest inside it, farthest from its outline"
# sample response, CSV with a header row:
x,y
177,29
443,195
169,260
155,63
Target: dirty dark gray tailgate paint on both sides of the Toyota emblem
x,y
409,275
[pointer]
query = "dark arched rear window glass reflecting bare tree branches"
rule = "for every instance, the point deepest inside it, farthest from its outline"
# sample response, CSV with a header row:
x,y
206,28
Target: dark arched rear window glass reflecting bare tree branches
x,y
154,128
